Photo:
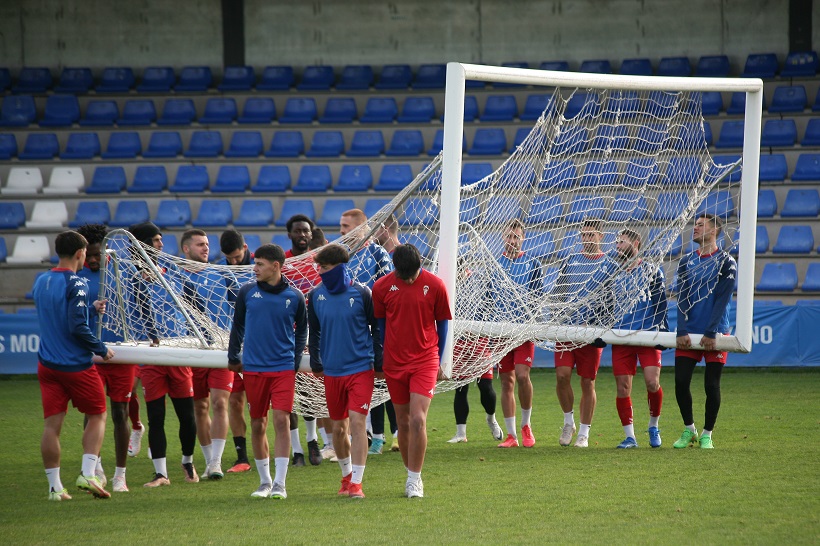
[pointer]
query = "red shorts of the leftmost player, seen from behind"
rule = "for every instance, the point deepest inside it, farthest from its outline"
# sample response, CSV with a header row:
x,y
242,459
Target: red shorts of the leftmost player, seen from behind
x,y
84,389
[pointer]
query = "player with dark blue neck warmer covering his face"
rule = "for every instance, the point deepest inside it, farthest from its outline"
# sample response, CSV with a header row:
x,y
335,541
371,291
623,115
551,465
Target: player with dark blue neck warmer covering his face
x,y
345,348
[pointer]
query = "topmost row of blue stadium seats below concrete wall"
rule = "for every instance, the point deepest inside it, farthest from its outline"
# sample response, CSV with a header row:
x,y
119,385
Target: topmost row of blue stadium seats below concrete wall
x,y
200,78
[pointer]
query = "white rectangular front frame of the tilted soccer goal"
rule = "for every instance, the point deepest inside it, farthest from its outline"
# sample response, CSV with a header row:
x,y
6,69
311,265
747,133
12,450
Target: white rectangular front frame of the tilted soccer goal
x,y
459,73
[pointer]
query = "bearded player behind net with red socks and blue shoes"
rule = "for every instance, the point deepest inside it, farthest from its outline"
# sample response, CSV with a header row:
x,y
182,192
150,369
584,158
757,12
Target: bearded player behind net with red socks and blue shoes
x,y
641,287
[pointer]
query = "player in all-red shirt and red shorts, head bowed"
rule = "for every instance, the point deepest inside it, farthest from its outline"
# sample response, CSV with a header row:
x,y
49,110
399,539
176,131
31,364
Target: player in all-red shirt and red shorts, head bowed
x,y
414,313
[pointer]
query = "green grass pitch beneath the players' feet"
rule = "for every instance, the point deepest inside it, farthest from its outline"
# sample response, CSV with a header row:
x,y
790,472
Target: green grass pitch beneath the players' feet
x,y
759,486
